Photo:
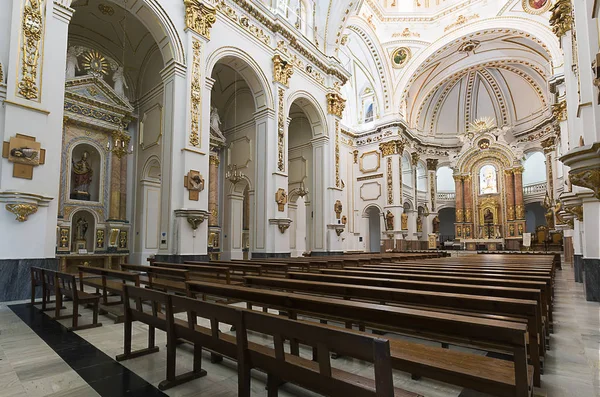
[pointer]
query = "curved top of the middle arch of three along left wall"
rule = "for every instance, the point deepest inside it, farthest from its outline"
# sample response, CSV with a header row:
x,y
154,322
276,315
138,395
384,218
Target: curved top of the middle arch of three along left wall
x,y
252,73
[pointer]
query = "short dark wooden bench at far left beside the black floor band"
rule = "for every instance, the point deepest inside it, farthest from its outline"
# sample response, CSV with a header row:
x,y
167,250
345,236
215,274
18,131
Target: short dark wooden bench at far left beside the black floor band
x,y
65,284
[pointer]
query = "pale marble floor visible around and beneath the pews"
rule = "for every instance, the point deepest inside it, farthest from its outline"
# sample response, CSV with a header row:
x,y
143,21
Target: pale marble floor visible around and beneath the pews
x,y
38,357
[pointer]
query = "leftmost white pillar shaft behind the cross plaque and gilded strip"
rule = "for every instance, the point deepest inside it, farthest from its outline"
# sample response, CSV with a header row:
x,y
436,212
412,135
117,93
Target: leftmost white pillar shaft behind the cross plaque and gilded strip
x,y
40,117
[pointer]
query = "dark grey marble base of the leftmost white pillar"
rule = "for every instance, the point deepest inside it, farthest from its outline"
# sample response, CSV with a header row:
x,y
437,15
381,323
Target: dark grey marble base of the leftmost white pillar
x,y
15,277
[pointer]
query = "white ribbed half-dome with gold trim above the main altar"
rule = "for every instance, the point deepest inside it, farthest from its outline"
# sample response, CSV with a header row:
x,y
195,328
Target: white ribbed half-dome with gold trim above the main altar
x,y
498,78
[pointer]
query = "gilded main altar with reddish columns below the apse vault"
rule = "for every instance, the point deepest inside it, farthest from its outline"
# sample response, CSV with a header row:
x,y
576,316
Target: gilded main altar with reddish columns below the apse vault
x,y
490,212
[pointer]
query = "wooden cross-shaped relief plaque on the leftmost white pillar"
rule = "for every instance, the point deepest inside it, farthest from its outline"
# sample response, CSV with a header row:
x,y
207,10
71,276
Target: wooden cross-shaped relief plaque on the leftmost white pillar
x,y
25,153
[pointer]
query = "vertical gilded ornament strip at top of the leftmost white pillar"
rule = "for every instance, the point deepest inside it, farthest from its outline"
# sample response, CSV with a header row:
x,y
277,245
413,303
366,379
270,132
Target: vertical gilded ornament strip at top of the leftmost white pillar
x,y
33,28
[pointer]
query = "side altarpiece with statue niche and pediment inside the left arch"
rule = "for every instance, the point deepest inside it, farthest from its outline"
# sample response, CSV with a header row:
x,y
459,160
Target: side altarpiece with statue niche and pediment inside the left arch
x,y
92,229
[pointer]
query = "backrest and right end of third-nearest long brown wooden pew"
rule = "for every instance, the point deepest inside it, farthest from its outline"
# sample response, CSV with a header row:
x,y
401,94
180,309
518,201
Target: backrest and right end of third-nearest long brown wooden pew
x,y
527,309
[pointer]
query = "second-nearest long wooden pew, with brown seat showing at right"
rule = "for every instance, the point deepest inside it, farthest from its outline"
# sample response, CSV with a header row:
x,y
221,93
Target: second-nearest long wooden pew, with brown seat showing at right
x,y
504,379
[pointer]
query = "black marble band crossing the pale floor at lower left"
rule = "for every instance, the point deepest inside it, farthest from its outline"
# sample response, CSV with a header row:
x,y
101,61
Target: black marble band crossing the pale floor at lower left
x,y
106,376
